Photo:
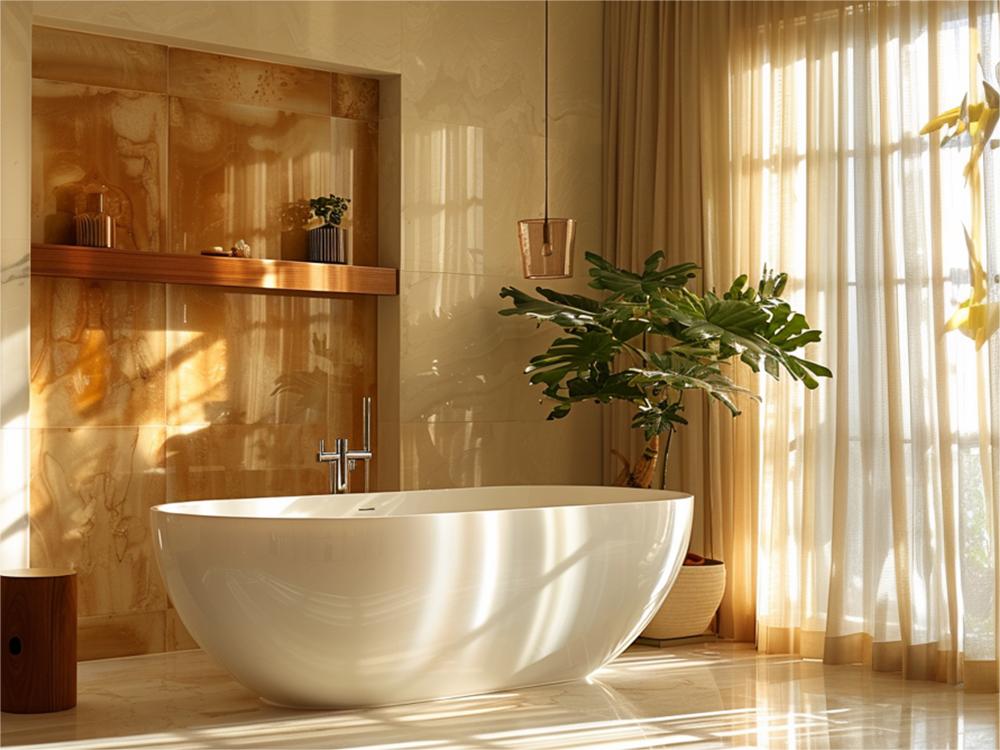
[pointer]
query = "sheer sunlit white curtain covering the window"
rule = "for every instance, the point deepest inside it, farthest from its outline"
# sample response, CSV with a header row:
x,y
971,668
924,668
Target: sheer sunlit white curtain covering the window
x,y
878,490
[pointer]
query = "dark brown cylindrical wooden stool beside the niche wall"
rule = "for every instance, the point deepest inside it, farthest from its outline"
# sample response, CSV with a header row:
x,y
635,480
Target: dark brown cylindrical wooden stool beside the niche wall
x,y
38,640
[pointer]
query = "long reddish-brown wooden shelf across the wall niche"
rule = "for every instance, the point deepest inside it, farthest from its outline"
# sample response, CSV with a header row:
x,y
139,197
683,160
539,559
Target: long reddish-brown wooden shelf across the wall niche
x,y
278,276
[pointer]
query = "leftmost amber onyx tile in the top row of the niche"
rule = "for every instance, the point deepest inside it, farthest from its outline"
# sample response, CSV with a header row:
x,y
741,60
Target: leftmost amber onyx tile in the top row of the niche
x,y
62,55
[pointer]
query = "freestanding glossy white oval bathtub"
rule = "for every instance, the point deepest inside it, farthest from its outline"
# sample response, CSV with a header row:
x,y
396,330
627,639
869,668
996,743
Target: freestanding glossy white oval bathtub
x,y
331,601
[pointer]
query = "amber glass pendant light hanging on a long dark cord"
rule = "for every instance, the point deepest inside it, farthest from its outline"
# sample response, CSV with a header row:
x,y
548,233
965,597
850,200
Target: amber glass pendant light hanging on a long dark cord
x,y
547,243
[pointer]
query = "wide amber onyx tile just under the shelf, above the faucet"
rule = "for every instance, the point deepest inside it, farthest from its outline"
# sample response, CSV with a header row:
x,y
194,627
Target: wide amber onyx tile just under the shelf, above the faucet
x,y
236,358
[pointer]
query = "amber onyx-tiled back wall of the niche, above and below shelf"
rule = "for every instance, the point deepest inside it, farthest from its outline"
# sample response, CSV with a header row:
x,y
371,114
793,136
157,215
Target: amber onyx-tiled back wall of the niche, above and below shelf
x,y
144,393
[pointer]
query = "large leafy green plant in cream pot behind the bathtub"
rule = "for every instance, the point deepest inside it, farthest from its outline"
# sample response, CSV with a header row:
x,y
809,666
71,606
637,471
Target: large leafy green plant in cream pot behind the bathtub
x,y
647,342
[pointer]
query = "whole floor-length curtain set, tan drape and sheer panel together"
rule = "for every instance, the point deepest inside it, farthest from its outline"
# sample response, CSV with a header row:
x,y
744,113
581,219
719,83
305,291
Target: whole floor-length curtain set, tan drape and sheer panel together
x,y
859,522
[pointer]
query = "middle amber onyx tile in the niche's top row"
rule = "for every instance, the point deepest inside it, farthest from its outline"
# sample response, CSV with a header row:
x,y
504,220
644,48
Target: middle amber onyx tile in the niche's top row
x,y
202,75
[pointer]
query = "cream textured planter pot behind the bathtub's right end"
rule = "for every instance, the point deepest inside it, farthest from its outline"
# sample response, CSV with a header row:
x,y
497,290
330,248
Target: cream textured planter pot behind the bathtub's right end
x,y
691,604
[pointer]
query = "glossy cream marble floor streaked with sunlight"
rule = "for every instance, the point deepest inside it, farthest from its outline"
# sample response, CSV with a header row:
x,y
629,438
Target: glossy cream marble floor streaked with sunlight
x,y
695,696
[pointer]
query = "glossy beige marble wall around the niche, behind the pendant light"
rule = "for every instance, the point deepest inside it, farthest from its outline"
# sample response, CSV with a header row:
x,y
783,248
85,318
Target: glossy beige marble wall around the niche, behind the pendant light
x,y
462,100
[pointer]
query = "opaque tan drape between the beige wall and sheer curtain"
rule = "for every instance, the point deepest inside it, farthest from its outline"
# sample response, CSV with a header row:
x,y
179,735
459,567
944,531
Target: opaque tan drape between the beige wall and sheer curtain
x,y
660,122
